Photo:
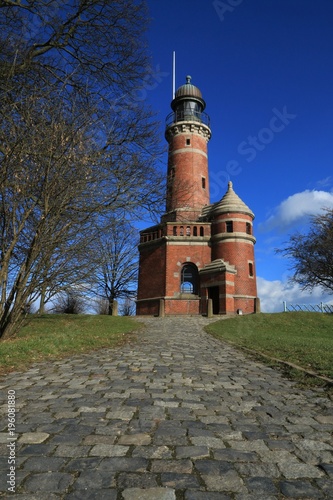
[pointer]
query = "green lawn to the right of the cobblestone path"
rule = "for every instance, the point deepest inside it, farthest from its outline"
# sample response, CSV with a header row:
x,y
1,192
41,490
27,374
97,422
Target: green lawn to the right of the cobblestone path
x,y
301,338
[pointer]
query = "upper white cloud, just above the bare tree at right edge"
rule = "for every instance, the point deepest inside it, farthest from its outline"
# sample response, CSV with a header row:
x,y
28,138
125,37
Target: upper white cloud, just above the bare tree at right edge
x,y
296,208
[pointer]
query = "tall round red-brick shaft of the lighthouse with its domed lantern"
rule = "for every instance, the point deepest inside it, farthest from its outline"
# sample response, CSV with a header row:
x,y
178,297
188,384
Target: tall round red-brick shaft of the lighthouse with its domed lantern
x,y
187,132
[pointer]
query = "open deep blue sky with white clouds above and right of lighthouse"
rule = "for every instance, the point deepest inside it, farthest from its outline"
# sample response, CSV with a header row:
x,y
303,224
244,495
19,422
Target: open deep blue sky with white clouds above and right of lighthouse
x,y
265,69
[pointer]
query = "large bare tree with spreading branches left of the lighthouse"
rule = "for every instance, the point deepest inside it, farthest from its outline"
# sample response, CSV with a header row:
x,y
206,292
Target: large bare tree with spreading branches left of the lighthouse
x,y
75,141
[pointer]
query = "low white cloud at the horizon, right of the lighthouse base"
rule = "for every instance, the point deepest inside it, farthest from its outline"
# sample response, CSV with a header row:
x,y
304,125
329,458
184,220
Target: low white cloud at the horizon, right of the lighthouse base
x,y
273,293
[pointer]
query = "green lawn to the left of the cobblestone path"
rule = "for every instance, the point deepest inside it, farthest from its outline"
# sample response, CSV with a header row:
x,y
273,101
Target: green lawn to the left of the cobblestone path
x,y
54,336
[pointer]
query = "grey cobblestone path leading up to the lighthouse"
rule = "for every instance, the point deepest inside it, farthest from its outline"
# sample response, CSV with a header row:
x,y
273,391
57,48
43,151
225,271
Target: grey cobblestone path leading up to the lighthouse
x,y
174,415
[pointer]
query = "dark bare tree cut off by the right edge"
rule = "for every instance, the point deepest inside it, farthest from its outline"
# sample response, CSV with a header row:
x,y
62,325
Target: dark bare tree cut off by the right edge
x,y
312,253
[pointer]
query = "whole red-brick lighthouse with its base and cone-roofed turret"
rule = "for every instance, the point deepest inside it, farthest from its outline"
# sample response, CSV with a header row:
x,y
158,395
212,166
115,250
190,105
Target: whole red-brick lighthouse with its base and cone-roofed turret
x,y
200,257
